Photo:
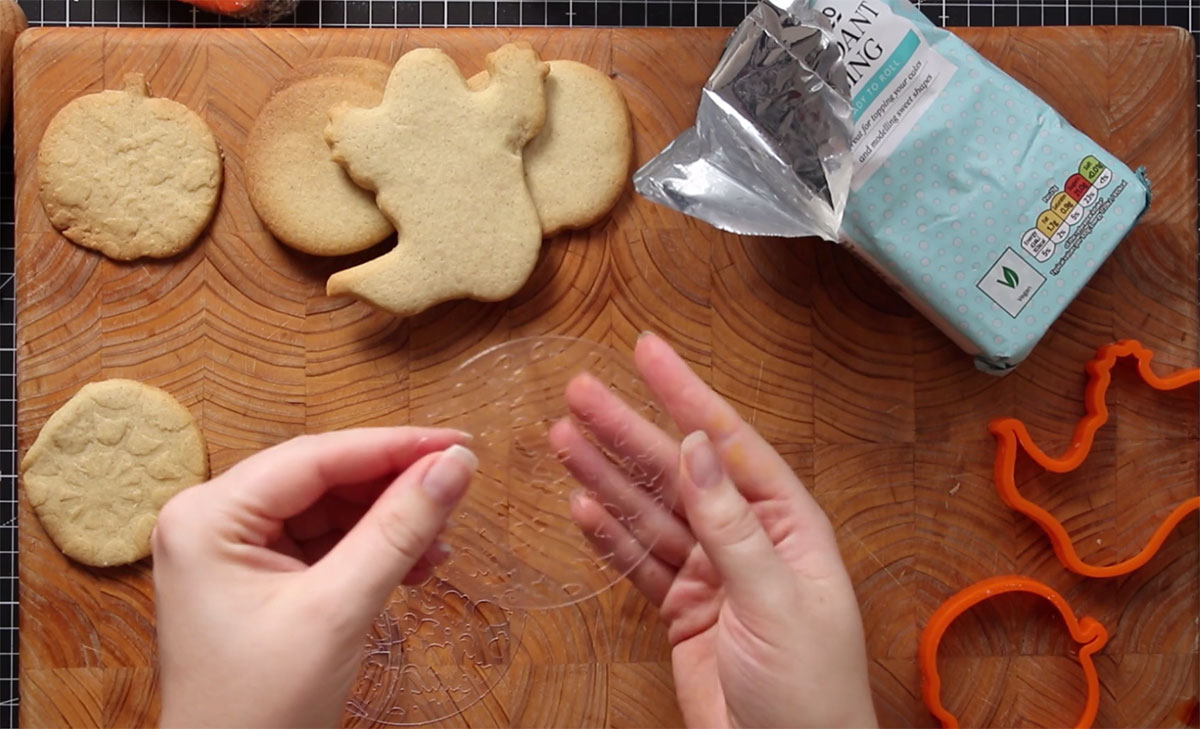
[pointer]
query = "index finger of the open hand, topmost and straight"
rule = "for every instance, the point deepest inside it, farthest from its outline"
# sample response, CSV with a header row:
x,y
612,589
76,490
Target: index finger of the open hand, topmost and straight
x,y
759,471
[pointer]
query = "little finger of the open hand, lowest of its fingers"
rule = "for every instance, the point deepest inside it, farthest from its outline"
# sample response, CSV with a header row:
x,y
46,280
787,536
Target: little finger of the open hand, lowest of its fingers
x,y
650,575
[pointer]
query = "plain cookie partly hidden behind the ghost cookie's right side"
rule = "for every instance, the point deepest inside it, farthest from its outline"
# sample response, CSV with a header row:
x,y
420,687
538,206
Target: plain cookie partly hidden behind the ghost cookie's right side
x,y
579,164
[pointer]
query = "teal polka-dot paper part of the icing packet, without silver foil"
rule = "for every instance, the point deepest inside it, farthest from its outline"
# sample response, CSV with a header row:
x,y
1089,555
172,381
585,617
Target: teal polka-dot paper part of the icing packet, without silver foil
x,y
969,194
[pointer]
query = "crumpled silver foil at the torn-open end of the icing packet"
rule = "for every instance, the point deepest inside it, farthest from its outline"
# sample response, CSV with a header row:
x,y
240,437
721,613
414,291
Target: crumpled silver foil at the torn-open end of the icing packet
x,y
770,154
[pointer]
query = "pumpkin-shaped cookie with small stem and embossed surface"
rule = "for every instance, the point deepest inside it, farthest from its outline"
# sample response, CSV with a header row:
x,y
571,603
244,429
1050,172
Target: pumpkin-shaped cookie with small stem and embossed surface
x,y
129,176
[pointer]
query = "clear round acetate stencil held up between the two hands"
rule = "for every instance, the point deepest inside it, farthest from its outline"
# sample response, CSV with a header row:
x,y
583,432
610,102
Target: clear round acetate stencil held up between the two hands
x,y
513,541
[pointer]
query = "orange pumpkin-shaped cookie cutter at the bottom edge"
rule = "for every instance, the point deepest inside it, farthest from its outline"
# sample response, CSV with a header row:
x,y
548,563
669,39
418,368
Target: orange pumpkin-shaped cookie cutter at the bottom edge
x,y
1087,631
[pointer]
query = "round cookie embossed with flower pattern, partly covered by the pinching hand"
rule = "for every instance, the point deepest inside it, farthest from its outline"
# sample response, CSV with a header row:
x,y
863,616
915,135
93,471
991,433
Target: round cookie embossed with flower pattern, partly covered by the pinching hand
x,y
106,463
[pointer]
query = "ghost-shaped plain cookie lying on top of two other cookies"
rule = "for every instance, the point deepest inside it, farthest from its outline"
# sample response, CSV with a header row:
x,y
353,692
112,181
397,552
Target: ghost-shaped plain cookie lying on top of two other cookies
x,y
446,165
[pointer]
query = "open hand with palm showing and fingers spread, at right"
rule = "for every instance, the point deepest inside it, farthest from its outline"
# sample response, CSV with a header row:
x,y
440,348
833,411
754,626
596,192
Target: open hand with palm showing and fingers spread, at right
x,y
761,614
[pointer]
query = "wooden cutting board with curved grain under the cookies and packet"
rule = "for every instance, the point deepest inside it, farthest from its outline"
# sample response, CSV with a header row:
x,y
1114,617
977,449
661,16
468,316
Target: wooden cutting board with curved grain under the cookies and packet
x,y
881,415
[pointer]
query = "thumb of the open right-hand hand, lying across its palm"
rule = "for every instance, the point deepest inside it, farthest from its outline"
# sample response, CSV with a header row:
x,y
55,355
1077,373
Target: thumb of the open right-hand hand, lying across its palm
x,y
727,528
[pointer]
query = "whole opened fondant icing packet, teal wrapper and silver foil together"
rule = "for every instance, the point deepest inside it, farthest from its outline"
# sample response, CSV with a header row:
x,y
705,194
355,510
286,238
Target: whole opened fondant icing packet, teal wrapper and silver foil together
x,y
861,122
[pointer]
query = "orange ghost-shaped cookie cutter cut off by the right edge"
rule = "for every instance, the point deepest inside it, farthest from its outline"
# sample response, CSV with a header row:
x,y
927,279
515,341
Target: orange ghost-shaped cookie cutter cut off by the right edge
x,y
1011,435
